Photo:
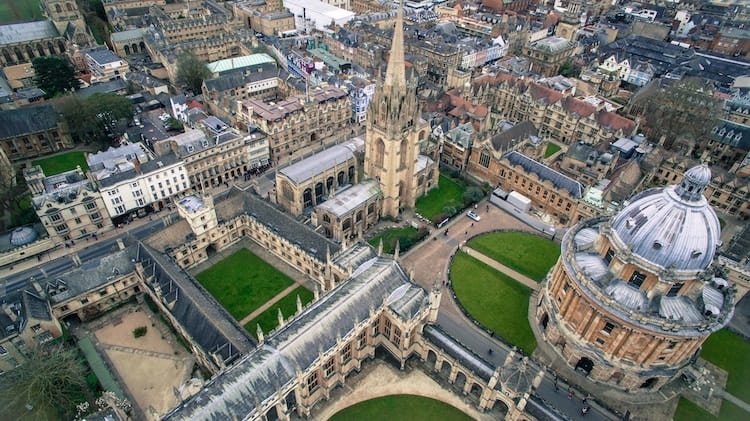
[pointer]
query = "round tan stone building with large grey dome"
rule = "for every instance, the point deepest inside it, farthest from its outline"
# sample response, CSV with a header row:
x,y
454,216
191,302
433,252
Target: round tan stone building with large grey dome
x,y
632,298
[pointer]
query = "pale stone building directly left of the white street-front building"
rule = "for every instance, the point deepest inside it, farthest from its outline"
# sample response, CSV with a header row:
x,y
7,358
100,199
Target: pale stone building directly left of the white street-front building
x,y
68,204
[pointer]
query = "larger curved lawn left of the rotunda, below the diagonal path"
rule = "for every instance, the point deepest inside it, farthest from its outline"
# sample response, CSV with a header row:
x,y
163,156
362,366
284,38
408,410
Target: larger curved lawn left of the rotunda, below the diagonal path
x,y
494,299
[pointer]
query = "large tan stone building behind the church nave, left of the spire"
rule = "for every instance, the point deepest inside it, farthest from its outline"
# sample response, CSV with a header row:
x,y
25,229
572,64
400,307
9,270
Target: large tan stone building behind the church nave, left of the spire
x,y
300,124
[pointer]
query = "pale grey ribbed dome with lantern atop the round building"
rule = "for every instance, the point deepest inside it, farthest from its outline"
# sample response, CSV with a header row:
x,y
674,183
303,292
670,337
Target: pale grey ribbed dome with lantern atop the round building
x,y
672,227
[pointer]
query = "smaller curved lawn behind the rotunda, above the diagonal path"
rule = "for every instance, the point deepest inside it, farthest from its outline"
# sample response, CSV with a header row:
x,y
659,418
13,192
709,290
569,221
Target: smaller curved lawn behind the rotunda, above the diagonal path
x,y
525,253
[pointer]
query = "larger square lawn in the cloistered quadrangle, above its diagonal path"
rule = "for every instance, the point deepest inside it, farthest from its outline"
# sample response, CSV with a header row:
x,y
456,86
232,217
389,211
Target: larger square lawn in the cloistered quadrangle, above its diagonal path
x,y
243,282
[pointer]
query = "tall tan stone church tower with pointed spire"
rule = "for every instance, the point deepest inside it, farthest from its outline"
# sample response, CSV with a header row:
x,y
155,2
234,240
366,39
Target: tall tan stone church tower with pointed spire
x,y
394,131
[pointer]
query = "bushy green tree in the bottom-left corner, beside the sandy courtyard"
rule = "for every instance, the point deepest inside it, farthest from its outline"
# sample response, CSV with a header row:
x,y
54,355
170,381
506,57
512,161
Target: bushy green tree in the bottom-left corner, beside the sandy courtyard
x,y
47,385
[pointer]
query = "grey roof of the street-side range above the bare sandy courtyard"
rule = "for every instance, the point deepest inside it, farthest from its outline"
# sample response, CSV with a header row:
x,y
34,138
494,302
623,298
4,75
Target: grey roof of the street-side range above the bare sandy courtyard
x,y
91,275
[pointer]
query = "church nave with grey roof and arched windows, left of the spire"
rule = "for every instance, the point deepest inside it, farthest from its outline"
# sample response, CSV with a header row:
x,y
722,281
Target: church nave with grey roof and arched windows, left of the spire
x,y
311,181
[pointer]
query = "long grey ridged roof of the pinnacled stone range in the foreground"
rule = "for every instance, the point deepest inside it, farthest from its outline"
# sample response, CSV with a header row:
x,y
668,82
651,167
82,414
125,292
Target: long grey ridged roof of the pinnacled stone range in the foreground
x,y
257,376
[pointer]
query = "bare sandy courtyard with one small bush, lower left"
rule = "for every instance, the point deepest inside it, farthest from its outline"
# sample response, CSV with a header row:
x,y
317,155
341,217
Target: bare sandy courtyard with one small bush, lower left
x,y
151,366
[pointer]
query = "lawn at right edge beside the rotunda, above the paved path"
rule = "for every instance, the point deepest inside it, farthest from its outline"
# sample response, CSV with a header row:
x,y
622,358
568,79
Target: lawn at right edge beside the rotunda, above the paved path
x,y
730,352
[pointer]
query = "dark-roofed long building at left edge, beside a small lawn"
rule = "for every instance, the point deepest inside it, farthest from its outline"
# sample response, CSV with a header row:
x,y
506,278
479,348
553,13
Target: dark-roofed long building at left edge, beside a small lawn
x,y
32,131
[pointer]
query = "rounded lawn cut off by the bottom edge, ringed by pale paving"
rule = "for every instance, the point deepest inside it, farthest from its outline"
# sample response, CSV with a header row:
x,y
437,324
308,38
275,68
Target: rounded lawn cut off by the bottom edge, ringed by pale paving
x,y
401,407
